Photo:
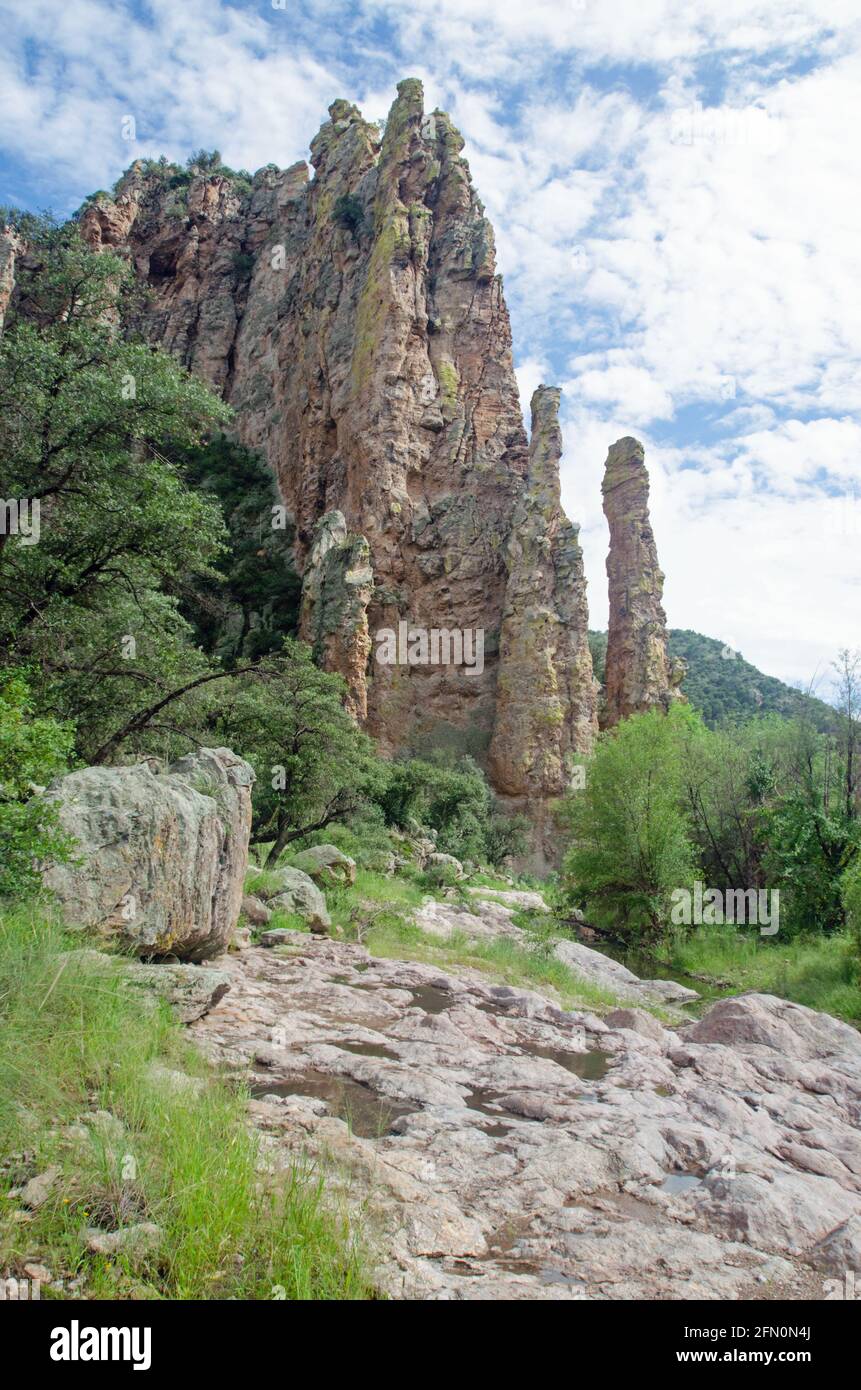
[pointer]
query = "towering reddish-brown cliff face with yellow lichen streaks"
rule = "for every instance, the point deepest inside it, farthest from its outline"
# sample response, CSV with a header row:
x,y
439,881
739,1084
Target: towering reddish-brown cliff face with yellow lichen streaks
x,y
357,325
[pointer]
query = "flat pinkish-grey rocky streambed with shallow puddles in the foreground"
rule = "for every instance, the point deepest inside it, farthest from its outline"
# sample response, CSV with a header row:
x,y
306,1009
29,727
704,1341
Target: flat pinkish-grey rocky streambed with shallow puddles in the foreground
x,y
494,1146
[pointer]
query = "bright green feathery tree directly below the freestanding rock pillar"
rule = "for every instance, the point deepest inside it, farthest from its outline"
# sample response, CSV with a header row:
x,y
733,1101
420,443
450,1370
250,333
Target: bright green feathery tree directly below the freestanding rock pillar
x,y
632,844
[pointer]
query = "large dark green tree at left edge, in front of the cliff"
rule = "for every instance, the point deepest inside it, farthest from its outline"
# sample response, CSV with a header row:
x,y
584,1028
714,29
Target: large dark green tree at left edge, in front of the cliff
x,y
84,419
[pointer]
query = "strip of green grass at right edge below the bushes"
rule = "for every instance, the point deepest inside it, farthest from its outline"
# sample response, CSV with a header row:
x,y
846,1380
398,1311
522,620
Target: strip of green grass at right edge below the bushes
x,y
821,972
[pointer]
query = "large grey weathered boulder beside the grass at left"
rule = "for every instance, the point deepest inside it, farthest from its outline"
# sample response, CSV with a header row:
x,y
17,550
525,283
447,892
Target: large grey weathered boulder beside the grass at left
x,y
162,857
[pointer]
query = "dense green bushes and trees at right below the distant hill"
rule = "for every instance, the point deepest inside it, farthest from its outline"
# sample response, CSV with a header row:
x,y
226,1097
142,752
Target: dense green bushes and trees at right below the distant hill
x,y
767,806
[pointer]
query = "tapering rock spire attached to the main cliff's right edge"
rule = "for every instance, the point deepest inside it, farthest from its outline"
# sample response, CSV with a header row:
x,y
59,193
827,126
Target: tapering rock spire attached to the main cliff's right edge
x,y
547,694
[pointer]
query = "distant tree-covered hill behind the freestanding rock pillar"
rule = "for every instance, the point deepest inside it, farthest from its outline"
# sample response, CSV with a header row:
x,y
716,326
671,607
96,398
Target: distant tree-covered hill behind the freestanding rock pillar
x,y
724,686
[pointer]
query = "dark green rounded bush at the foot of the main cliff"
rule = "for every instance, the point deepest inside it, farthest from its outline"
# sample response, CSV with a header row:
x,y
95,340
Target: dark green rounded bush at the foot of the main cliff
x,y
457,803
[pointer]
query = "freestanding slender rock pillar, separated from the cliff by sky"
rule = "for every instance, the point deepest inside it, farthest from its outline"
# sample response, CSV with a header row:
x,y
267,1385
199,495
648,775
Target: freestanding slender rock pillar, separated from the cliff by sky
x,y
639,673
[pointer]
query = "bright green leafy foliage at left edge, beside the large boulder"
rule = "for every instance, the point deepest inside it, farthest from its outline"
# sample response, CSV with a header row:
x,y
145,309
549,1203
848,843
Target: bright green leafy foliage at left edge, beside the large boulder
x,y
33,751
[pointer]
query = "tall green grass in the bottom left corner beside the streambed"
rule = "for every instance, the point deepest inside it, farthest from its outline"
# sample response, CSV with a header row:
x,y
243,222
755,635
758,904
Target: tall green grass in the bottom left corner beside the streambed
x,y
74,1042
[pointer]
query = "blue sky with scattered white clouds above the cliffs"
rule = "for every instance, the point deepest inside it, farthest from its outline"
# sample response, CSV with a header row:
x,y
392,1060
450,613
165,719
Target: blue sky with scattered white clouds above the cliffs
x,y
675,191
